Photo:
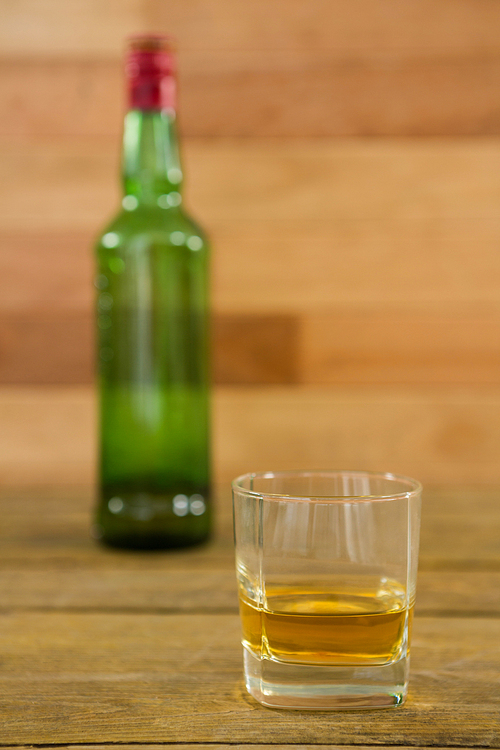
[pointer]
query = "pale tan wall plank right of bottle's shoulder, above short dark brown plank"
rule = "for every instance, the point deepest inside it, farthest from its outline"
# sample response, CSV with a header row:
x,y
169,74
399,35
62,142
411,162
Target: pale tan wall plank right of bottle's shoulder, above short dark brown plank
x,y
302,266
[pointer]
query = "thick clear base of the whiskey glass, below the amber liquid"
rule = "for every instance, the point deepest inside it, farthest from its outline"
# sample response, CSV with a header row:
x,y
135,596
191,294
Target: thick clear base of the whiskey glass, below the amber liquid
x,y
320,687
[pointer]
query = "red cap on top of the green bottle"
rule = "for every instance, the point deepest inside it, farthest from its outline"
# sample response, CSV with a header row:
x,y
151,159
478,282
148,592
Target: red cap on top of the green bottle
x,y
150,70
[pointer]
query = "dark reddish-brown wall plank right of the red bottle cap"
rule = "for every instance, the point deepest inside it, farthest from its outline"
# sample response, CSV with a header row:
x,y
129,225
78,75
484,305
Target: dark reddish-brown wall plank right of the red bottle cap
x,y
334,95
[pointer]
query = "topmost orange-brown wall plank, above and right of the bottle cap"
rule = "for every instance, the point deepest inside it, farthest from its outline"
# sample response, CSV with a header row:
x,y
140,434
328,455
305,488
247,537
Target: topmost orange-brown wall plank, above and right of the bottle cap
x,y
452,25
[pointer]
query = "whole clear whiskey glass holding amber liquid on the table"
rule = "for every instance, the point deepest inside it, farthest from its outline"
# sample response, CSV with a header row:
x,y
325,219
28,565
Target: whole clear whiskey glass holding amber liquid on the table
x,y
326,567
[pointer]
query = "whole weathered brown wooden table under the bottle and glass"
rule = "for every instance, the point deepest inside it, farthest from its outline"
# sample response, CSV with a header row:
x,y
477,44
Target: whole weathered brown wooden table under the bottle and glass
x,y
101,646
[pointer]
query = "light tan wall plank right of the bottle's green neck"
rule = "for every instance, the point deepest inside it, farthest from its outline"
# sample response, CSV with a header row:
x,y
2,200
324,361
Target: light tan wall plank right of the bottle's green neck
x,y
332,179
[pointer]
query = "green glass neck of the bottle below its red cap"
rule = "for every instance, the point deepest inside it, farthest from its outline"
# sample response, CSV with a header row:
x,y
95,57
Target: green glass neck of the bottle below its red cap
x,y
151,166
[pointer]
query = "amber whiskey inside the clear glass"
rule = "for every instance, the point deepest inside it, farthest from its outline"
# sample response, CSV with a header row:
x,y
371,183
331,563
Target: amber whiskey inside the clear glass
x,y
307,626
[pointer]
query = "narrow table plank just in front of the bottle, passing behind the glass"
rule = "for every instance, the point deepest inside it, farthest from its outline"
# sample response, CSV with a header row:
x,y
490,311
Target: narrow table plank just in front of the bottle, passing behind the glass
x,y
169,590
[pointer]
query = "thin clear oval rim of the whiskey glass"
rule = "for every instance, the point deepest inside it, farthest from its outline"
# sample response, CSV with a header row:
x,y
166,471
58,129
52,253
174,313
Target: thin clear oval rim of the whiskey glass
x,y
415,487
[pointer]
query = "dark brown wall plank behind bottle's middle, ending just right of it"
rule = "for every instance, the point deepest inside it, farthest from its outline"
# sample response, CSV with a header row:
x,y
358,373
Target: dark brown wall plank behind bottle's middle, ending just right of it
x,y
57,347
